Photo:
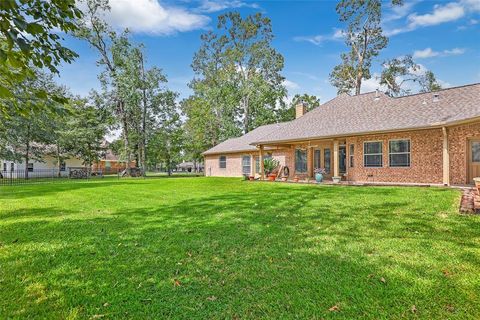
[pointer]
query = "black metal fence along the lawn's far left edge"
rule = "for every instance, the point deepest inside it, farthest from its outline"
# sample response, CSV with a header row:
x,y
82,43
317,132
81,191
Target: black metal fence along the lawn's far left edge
x,y
25,176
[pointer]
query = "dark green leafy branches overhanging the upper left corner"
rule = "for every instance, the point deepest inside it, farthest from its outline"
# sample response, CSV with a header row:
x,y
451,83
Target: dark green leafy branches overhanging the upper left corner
x,y
28,38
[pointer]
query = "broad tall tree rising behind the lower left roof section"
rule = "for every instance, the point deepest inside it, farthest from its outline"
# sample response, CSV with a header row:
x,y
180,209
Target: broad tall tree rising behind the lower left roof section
x,y
238,73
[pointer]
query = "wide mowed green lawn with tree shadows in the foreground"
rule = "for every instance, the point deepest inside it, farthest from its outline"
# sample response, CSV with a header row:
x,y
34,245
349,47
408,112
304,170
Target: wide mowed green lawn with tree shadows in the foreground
x,y
213,248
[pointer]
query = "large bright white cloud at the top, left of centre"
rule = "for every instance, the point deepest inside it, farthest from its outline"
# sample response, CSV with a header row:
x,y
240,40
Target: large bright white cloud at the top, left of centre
x,y
149,16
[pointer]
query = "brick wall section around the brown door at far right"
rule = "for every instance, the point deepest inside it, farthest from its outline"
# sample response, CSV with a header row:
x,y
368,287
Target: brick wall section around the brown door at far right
x,y
458,143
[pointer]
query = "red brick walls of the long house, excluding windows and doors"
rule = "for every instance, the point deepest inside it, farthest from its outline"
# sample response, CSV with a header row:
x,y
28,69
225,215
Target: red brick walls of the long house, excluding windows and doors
x,y
426,157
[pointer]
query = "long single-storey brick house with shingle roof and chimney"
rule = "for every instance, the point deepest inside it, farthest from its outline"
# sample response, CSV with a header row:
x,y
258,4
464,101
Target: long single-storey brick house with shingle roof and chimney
x,y
430,138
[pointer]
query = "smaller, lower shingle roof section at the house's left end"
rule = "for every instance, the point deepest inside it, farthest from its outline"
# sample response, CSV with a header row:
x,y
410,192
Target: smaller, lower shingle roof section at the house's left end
x,y
244,143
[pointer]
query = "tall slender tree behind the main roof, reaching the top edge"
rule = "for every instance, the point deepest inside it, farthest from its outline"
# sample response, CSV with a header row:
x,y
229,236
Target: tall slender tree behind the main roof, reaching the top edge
x,y
365,40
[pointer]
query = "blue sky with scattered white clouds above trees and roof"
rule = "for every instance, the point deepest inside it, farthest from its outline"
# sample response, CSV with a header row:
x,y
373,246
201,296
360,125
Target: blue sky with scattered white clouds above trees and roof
x,y
443,36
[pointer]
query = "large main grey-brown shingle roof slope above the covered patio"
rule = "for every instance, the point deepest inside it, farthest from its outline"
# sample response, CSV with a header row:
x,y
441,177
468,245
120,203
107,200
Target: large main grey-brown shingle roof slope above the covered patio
x,y
350,115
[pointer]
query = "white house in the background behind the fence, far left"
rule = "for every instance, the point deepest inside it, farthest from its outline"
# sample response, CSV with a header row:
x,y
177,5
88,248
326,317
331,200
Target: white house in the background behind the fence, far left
x,y
45,168
